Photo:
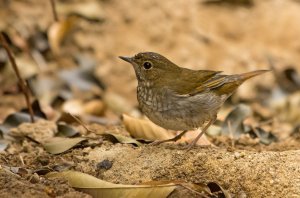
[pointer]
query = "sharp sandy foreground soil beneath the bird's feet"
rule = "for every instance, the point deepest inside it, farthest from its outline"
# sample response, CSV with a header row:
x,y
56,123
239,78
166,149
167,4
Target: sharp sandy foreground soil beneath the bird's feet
x,y
244,173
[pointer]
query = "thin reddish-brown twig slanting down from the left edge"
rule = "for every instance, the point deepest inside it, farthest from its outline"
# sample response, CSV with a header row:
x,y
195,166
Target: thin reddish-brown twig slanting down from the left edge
x,y
22,83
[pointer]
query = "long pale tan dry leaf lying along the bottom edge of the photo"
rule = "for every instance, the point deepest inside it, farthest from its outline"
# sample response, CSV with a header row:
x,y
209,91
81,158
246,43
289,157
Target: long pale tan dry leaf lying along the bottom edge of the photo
x,y
100,188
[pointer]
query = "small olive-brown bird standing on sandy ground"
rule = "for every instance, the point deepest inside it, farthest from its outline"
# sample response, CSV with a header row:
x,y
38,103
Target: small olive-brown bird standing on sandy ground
x,y
178,98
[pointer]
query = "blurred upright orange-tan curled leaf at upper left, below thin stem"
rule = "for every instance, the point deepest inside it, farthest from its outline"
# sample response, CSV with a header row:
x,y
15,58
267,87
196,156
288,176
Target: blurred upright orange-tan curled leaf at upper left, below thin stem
x,y
58,31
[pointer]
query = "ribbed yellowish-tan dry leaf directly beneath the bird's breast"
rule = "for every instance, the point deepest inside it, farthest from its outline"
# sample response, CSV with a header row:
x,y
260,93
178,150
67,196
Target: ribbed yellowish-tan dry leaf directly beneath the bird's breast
x,y
145,129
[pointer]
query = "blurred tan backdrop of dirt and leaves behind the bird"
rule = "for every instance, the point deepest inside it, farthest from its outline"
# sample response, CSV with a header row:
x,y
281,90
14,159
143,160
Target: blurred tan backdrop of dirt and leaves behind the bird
x,y
71,61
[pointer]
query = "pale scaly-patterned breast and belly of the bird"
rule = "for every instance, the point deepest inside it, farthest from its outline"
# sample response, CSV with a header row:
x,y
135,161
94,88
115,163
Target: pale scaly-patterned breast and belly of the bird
x,y
171,111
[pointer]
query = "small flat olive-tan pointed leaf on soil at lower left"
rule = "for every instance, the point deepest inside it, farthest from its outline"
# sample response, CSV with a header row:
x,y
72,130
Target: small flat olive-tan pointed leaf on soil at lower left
x,y
60,145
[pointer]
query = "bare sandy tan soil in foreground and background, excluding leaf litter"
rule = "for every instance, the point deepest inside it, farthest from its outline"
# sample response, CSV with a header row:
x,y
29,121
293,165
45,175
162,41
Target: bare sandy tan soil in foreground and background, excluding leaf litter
x,y
234,38
